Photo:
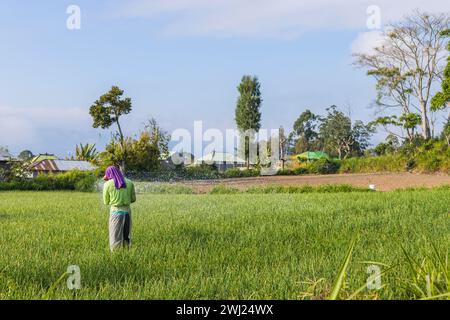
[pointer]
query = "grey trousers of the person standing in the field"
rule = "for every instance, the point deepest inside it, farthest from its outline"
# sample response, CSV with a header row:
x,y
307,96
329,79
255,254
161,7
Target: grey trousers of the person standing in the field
x,y
119,230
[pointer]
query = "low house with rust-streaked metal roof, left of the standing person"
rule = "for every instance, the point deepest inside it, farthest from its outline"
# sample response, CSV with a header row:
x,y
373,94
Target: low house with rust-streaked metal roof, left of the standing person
x,y
59,166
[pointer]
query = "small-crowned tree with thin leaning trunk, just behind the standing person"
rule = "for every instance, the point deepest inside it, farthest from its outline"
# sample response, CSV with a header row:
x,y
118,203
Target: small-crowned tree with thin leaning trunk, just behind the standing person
x,y
107,111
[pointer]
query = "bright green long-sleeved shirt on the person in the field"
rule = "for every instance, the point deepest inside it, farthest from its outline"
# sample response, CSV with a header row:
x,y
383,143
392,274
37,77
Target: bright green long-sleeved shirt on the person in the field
x,y
119,200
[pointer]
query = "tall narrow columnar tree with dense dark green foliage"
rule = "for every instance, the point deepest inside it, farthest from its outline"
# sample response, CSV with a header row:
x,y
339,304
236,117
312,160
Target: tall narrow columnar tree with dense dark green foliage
x,y
247,114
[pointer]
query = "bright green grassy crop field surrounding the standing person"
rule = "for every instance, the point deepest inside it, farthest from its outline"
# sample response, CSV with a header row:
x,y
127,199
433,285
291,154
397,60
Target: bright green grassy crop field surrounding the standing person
x,y
228,246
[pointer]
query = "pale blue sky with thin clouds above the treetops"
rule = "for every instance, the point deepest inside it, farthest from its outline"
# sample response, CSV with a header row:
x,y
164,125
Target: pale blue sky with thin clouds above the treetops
x,y
179,61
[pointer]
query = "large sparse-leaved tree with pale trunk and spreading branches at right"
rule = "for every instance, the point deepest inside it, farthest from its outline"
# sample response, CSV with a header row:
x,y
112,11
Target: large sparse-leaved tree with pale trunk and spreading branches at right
x,y
408,64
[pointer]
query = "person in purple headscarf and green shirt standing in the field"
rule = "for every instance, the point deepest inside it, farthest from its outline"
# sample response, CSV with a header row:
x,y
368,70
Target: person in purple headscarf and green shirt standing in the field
x,y
119,194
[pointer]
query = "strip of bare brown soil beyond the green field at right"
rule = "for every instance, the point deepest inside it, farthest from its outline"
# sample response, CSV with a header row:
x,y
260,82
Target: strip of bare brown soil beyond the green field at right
x,y
382,181
